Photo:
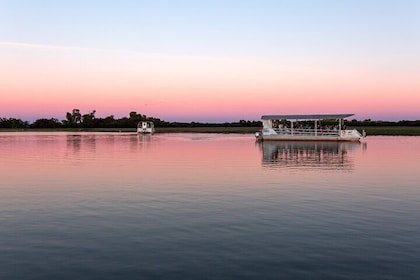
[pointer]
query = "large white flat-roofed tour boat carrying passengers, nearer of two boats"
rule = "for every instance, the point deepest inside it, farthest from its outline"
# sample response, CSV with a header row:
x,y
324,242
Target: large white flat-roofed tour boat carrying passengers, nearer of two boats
x,y
325,127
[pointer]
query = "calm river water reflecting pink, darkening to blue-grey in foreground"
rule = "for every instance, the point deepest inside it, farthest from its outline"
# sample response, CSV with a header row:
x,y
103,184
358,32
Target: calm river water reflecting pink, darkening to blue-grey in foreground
x,y
207,206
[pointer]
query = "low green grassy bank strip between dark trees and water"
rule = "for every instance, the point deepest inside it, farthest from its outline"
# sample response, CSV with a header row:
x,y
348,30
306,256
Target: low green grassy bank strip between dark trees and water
x,y
370,130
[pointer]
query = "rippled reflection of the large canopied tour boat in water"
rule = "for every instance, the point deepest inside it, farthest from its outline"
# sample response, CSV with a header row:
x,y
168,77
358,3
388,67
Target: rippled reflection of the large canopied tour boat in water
x,y
308,155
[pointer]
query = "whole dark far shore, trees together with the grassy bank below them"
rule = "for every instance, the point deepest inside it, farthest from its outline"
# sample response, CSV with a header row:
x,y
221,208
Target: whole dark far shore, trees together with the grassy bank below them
x,y
79,121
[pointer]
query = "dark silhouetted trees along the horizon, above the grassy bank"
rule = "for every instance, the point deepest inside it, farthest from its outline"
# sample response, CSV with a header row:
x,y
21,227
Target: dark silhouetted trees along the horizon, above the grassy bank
x,y
75,119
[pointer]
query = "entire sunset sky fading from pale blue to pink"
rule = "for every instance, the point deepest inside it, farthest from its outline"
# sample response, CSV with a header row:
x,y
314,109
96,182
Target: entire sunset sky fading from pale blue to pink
x,y
211,61
